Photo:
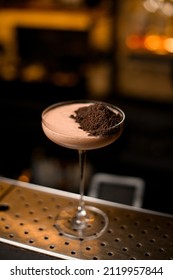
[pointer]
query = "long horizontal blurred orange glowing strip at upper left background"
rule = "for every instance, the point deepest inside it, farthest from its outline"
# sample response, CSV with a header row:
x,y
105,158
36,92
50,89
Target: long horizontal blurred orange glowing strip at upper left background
x,y
45,19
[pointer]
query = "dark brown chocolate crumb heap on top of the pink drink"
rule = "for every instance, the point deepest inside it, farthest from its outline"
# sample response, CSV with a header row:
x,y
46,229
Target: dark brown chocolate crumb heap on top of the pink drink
x,y
96,119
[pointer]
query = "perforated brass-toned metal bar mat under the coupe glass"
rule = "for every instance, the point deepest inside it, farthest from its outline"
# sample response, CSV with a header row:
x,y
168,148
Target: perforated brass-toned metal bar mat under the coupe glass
x,y
27,217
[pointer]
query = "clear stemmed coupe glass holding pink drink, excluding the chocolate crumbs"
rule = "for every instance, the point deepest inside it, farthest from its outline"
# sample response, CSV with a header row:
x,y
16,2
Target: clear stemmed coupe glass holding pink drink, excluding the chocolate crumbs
x,y
83,221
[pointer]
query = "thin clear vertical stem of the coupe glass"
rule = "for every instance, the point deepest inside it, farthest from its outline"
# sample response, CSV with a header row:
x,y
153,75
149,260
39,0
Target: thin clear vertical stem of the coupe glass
x,y
82,165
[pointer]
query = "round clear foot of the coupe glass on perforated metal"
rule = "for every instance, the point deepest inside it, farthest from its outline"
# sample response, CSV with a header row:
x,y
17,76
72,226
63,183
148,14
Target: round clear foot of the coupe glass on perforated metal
x,y
91,226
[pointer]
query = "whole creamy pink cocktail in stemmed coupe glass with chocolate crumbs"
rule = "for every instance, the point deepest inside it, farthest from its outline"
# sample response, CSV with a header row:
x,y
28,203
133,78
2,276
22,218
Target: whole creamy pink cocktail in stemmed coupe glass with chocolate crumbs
x,y
82,125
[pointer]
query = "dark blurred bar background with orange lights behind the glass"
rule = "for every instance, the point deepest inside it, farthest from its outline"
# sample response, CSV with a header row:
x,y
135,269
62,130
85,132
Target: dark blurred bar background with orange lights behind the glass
x,y
115,51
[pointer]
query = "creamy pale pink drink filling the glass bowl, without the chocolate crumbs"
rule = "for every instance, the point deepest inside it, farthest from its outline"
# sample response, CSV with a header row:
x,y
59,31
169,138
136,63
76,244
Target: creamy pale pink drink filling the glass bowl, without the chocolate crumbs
x,y
62,129
